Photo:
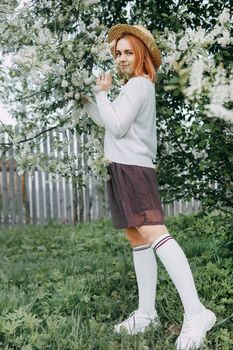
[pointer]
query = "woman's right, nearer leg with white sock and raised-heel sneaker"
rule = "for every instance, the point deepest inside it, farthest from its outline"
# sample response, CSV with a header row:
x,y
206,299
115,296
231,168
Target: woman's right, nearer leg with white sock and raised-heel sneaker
x,y
197,320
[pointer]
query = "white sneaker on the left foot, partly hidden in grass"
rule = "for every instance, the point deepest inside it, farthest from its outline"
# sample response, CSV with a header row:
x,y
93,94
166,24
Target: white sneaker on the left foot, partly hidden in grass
x,y
136,323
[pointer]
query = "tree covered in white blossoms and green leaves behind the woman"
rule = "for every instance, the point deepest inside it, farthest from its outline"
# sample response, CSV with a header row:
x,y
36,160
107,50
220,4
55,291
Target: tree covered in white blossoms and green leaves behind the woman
x,y
54,48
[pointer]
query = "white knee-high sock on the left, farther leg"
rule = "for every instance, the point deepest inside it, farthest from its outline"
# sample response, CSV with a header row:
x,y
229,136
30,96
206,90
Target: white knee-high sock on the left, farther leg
x,y
146,272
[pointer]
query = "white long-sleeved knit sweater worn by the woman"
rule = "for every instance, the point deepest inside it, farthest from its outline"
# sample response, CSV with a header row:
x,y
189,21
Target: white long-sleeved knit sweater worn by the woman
x,y
129,122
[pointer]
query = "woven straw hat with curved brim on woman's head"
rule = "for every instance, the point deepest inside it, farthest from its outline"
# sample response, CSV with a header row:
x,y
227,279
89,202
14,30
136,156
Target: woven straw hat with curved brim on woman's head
x,y
117,31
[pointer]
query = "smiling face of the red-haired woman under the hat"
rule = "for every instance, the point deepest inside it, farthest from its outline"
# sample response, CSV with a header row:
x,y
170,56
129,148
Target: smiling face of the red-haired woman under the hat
x,y
125,58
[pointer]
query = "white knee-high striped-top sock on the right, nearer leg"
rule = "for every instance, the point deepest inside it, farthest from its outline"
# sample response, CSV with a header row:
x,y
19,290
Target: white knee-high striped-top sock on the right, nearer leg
x,y
177,266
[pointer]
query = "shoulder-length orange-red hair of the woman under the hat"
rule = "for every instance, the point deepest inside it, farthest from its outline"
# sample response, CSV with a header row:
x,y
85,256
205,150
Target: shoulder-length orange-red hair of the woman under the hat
x,y
143,62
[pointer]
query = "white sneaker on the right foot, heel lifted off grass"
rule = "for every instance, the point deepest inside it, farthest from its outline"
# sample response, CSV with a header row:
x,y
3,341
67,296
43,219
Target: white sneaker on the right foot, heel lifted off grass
x,y
194,330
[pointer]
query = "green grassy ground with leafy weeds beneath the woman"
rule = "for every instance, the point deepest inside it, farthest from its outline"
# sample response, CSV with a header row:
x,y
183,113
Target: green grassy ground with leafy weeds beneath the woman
x,y
64,287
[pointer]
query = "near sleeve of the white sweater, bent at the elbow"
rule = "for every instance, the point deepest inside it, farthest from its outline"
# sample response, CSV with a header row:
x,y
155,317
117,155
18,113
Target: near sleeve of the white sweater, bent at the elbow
x,y
119,115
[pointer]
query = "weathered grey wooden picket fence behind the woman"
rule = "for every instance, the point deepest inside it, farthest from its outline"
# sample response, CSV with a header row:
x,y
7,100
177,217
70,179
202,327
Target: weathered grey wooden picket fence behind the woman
x,y
34,198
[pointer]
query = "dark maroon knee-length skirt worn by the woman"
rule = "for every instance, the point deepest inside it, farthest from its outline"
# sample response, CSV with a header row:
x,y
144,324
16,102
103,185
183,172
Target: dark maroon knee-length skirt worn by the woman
x,y
133,196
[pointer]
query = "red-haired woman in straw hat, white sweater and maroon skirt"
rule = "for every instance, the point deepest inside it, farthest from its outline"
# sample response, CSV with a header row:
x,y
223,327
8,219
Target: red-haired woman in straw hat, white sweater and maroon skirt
x,y
130,147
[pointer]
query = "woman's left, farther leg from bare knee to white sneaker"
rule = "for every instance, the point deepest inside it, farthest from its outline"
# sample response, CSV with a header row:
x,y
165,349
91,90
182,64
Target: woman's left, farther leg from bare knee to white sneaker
x,y
146,273
